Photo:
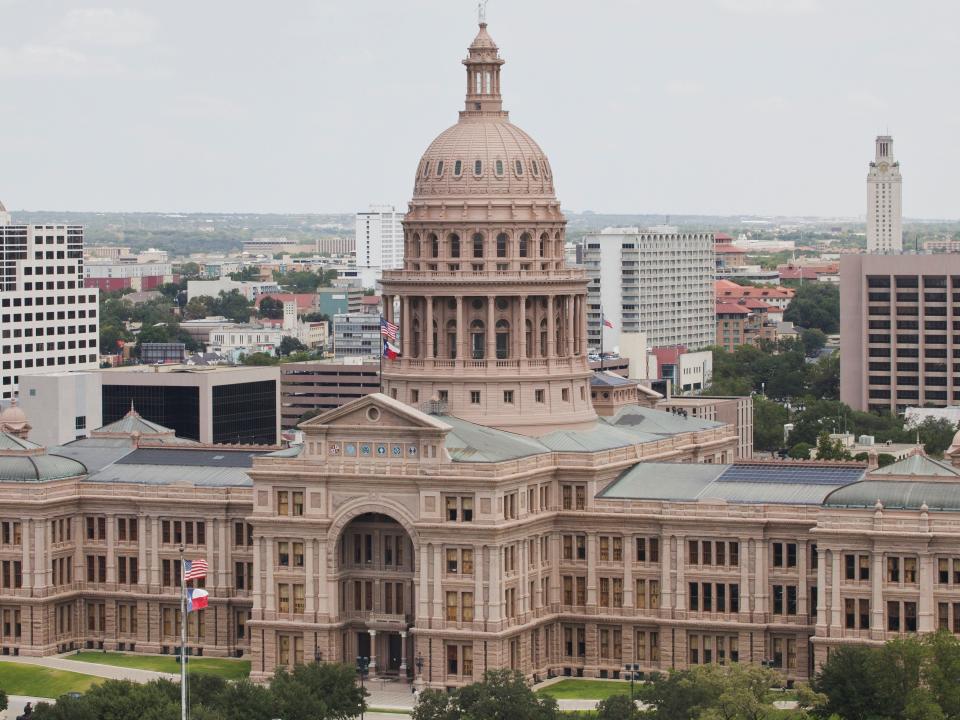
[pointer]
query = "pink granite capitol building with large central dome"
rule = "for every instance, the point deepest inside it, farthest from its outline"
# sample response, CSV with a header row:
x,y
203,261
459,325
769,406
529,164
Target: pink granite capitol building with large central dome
x,y
498,505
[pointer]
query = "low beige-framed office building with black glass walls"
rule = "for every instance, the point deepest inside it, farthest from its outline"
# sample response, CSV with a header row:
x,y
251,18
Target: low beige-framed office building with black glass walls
x,y
212,405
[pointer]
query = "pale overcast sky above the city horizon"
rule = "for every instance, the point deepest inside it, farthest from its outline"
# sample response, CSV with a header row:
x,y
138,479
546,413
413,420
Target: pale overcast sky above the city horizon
x,y
701,106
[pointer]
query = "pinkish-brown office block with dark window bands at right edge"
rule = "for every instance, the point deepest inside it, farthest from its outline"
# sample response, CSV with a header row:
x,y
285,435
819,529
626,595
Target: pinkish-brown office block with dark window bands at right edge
x,y
899,342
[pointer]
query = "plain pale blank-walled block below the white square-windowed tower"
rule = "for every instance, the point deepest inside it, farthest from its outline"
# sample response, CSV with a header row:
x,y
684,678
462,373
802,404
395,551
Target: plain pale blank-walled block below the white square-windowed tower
x,y
62,406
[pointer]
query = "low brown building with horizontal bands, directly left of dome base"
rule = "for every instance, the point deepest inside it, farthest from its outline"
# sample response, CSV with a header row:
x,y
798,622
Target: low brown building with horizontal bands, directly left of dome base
x,y
315,386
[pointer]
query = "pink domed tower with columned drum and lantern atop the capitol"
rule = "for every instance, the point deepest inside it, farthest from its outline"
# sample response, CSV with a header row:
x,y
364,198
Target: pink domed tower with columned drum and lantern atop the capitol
x,y
493,323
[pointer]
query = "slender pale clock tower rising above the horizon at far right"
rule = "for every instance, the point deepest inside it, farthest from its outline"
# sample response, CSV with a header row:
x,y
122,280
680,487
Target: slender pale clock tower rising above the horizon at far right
x,y
884,209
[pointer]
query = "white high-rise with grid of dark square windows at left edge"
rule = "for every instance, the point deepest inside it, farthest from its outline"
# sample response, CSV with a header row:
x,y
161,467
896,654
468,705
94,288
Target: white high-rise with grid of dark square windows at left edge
x,y
48,320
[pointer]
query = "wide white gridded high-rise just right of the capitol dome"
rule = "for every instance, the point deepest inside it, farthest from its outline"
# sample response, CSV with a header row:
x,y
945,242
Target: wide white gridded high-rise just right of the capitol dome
x,y
658,282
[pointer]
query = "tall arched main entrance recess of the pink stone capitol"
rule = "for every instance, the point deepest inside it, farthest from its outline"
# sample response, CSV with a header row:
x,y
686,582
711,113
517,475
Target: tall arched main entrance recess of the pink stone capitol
x,y
375,584
